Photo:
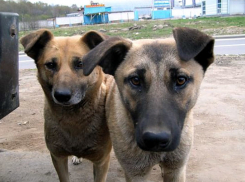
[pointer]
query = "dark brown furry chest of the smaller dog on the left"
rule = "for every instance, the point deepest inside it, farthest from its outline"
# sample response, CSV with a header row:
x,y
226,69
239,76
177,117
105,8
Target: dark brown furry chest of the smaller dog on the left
x,y
79,135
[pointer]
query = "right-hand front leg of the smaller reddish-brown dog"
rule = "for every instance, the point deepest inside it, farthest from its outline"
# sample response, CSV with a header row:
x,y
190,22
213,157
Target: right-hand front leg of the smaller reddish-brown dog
x,y
101,169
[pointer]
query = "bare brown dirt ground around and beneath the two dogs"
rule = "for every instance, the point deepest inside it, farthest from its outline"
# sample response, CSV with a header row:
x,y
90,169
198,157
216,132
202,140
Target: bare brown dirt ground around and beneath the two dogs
x,y
218,154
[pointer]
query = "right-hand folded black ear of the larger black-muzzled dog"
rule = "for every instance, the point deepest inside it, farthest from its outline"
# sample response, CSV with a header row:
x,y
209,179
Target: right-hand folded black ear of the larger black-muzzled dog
x,y
192,43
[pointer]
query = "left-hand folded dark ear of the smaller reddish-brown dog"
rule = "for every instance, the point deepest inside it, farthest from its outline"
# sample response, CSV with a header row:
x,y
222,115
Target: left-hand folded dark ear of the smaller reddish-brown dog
x,y
35,42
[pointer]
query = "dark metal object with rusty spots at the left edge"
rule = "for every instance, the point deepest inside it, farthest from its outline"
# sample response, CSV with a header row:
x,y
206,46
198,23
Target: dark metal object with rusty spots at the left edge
x,y
9,63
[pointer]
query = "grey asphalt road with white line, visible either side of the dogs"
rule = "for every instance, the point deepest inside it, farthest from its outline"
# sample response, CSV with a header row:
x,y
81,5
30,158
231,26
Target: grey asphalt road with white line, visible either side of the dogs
x,y
222,46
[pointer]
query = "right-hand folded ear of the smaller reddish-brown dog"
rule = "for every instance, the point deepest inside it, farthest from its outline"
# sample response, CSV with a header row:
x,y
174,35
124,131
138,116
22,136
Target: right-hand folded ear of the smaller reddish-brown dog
x,y
93,38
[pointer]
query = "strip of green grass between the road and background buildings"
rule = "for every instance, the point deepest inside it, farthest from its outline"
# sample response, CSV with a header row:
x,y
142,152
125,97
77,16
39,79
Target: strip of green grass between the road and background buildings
x,y
210,25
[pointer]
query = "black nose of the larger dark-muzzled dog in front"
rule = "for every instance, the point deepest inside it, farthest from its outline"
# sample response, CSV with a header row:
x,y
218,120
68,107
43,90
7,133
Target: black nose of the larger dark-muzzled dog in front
x,y
156,140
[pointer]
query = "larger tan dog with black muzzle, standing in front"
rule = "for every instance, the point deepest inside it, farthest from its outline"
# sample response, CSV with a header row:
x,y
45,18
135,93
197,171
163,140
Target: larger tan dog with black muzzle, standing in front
x,y
149,106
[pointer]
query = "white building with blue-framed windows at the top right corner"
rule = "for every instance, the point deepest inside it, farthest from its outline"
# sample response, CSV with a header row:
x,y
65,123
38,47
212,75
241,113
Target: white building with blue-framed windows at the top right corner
x,y
225,7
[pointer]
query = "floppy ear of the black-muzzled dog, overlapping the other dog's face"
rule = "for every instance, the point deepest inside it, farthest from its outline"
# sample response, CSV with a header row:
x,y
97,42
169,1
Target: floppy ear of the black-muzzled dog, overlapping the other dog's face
x,y
108,54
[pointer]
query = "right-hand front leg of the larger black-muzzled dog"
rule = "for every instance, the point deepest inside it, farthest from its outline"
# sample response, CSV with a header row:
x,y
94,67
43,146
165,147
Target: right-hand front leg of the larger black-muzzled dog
x,y
174,175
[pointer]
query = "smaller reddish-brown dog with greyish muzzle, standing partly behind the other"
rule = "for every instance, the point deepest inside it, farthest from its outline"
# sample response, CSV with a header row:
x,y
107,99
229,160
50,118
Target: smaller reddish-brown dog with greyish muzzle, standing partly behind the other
x,y
74,109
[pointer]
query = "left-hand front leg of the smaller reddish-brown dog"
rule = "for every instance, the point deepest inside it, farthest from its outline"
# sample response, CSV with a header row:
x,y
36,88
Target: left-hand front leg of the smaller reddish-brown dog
x,y
61,166
